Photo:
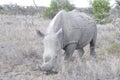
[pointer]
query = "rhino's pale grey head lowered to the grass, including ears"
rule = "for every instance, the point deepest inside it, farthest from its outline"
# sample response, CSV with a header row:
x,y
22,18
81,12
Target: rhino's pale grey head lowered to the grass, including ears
x,y
52,50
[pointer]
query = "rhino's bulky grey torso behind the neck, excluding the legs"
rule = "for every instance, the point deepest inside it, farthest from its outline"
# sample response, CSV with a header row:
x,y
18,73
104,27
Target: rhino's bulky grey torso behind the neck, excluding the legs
x,y
78,28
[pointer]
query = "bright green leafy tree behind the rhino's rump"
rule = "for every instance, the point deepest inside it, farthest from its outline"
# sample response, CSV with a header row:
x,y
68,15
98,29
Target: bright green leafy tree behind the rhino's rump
x,y
101,9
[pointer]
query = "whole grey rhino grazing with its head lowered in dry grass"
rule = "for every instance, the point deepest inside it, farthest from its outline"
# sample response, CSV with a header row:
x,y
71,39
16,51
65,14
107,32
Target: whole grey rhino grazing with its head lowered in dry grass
x,y
68,31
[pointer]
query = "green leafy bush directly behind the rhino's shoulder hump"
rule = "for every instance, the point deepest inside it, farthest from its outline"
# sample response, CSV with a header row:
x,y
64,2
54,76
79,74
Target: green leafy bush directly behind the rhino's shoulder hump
x,y
56,6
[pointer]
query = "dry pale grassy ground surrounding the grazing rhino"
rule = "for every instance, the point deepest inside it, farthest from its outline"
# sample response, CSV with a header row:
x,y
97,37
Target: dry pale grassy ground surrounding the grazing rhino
x,y
21,52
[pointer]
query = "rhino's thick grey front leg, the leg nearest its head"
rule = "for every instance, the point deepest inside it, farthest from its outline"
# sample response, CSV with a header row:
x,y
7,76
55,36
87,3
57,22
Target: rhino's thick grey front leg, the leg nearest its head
x,y
69,49
